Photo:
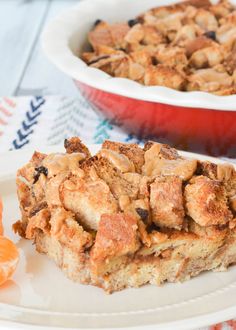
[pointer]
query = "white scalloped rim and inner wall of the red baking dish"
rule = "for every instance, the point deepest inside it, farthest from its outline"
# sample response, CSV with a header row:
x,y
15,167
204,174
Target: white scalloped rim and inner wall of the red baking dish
x,y
66,36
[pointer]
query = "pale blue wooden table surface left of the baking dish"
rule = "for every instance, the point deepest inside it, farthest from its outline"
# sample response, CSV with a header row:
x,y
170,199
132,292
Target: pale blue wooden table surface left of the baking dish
x,y
24,70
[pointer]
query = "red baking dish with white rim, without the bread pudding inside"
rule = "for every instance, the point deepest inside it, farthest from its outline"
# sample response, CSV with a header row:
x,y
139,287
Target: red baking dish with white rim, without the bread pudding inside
x,y
193,121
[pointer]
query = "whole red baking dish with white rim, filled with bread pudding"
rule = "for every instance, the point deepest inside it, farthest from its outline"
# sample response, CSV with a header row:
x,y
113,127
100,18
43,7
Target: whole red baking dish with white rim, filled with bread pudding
x,y
153,112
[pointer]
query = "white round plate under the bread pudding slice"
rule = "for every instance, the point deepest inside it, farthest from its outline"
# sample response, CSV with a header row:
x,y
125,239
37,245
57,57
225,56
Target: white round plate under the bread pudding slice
x,y
39,294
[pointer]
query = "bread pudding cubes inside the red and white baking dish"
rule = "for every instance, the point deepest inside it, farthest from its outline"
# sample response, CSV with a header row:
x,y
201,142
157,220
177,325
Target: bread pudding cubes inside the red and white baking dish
x,y
188,46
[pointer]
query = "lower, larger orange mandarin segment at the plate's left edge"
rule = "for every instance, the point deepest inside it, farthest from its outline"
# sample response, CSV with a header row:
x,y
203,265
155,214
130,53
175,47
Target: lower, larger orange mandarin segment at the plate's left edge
x,y
9,257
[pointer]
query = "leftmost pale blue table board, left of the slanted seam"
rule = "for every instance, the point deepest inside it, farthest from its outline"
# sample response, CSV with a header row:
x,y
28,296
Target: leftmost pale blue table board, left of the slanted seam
x,y
20,24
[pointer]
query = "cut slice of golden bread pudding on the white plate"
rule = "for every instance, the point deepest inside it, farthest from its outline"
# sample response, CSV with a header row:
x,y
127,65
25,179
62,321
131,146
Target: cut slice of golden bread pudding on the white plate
x,y
128,216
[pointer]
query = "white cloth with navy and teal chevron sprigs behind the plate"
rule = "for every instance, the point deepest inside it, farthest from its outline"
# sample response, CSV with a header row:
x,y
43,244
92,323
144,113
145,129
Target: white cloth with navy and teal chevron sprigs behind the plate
x,y
35,121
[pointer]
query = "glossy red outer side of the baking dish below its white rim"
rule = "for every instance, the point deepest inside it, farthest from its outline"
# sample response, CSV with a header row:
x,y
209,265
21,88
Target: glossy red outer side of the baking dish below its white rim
x,y
196,129
